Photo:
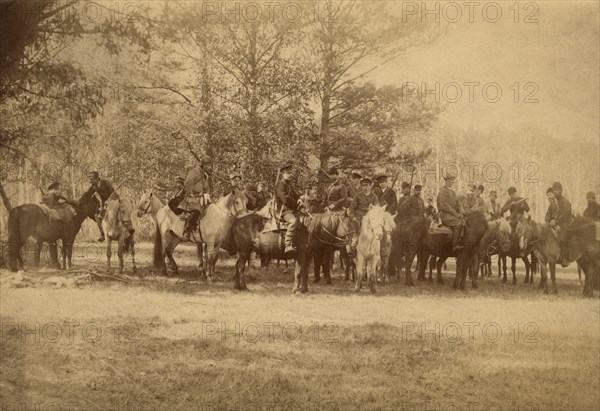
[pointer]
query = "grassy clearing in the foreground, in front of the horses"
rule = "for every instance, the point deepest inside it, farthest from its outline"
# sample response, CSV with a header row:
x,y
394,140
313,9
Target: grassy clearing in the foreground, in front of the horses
x,y
155,344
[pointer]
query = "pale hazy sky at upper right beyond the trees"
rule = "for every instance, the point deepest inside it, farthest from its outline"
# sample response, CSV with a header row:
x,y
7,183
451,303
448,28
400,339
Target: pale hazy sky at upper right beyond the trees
x,y
559,54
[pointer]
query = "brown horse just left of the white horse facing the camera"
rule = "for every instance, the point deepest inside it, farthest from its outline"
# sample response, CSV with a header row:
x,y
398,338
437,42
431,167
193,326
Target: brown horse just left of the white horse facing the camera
x,y
330,231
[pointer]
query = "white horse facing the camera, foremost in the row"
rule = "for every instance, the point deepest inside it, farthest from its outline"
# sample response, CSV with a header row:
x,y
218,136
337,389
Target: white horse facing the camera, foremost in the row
x,y
368,248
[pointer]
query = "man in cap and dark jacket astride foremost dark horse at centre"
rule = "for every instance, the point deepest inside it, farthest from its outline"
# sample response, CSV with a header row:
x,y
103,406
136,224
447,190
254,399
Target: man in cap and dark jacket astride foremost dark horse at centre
x,y
287,205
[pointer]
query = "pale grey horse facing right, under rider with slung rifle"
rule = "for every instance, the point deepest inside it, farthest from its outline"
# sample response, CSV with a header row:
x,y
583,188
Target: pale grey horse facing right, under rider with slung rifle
x,y
213,229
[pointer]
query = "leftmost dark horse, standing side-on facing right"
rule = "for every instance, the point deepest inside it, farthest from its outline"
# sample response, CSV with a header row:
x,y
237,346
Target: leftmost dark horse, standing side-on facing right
x,y
30,219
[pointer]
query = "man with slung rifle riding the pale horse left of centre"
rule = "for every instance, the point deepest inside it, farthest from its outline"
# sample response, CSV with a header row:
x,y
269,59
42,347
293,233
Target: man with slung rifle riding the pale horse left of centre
x,y
196,198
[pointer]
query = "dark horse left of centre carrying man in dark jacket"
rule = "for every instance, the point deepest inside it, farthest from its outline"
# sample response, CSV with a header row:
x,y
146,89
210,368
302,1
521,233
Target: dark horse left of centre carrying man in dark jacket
x,y
248,236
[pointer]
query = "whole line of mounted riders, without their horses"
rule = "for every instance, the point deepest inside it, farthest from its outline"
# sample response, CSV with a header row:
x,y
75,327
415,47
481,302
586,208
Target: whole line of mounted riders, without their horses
x,y
353,193
